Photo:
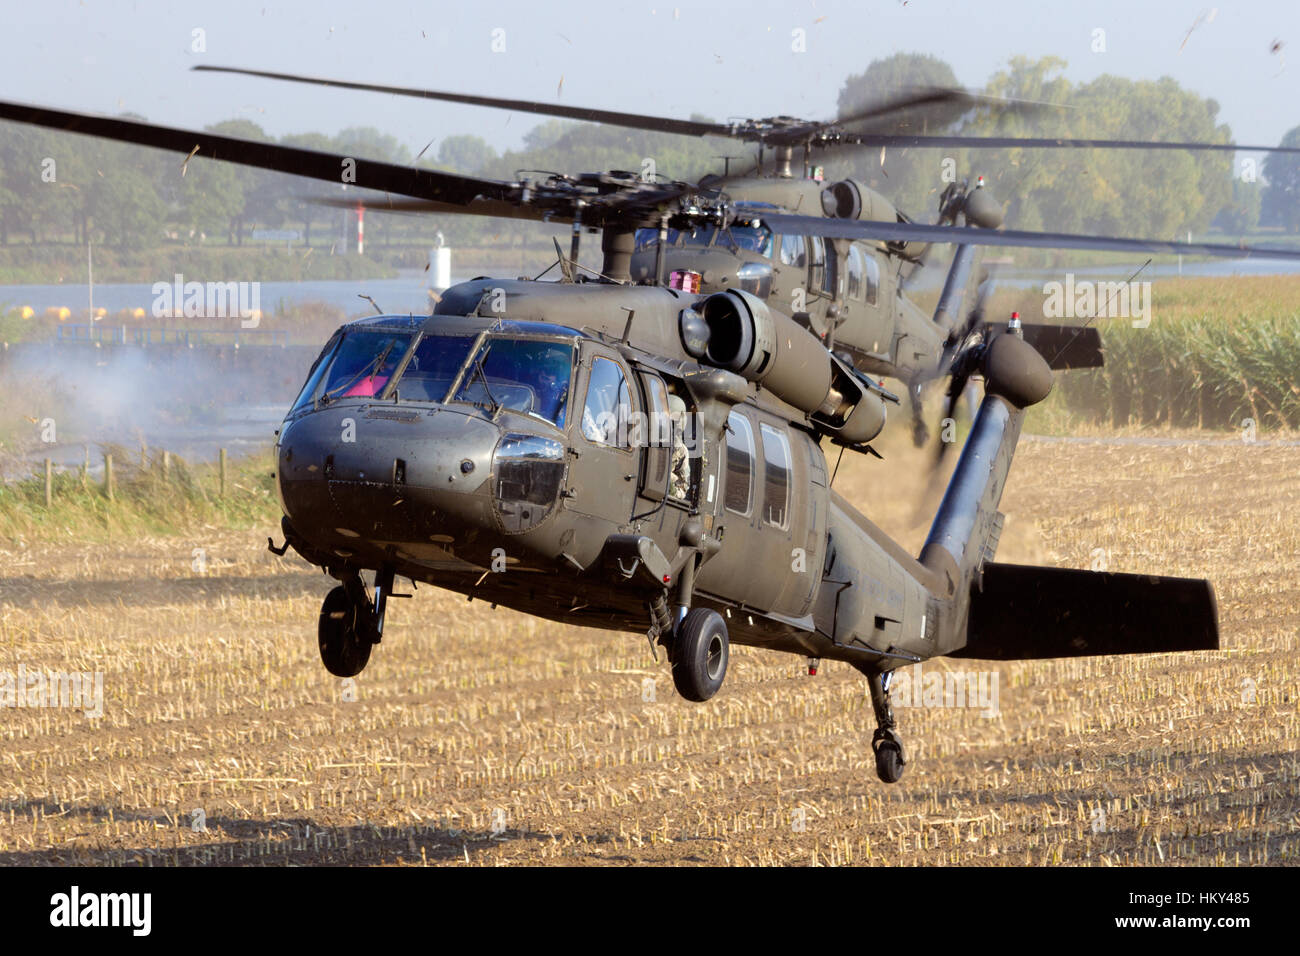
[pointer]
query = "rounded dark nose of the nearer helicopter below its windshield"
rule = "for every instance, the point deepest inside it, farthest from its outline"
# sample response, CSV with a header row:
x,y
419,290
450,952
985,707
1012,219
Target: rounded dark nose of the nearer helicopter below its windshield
x,y
358,478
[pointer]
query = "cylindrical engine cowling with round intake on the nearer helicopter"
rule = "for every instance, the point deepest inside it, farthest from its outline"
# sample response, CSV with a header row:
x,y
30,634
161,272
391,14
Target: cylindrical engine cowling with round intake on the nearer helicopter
x,y
736,331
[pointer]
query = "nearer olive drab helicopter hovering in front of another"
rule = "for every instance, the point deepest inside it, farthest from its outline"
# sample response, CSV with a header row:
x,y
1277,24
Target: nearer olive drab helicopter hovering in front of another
x,y
652,460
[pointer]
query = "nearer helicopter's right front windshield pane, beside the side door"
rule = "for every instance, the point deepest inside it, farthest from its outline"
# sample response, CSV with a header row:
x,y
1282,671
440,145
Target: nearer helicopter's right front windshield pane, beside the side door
x,y
525,375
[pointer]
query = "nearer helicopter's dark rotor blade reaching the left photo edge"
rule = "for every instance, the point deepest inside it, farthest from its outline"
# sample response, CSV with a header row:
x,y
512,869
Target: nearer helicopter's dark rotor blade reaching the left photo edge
x,y
444,192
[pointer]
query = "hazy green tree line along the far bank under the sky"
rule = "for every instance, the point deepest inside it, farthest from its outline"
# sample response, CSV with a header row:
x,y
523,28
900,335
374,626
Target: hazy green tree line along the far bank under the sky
x,y
63,188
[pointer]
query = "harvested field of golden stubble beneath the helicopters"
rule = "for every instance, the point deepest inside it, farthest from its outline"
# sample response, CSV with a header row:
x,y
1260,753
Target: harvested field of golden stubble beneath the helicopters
x,y
487,738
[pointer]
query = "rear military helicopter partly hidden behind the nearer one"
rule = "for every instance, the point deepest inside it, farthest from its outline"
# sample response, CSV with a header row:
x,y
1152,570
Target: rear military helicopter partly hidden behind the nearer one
x,y
850,292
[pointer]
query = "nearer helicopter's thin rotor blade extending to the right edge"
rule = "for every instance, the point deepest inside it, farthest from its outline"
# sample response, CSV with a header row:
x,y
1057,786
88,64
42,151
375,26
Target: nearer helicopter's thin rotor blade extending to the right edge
x,y
915,232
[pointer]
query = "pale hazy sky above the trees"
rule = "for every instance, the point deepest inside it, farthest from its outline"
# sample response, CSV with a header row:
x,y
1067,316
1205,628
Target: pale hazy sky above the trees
x,y
675,58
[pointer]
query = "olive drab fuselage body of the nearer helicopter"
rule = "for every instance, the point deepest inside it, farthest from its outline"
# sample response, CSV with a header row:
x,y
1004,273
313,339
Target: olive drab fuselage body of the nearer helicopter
x,y
430,487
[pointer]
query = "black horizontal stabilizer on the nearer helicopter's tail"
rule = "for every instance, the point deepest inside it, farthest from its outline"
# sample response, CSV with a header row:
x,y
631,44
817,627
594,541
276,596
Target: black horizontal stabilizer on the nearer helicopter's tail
x,y
1021,613
